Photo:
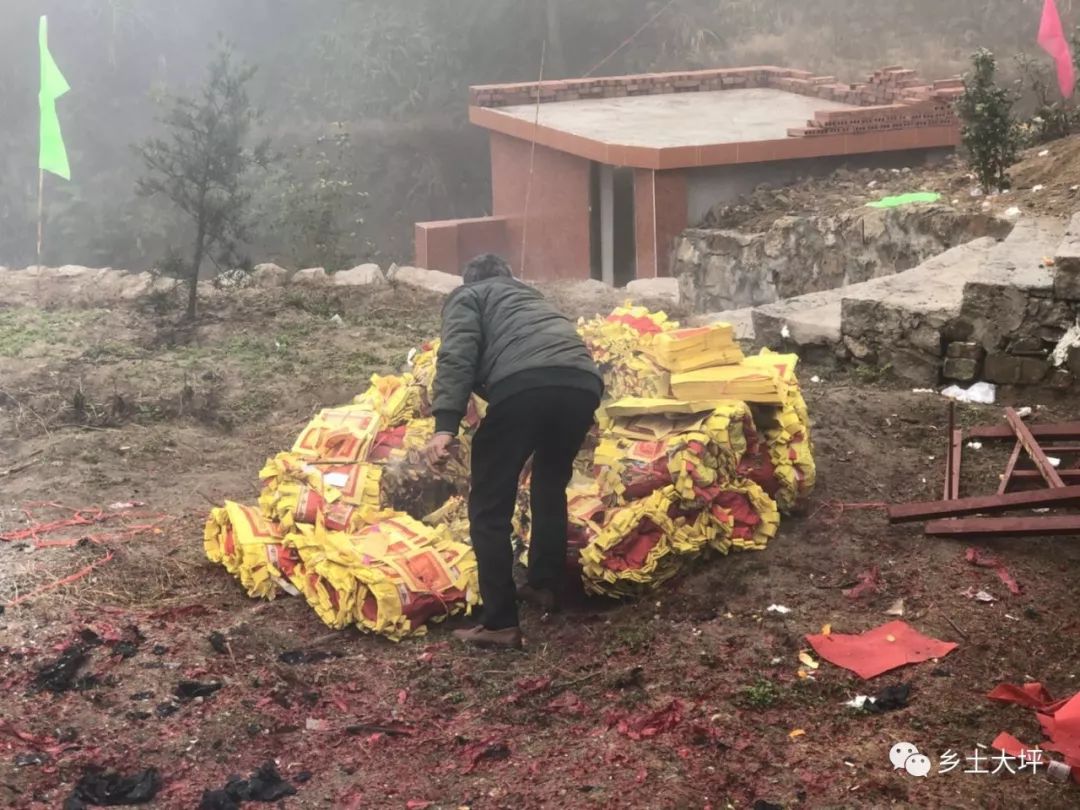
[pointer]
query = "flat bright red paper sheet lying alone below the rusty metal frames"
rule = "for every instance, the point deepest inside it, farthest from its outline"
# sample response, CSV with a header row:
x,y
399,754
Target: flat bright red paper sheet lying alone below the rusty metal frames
x,y
880,651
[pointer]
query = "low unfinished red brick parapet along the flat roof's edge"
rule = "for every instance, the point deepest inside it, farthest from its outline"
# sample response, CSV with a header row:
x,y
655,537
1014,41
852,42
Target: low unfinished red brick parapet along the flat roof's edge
x,y
892,99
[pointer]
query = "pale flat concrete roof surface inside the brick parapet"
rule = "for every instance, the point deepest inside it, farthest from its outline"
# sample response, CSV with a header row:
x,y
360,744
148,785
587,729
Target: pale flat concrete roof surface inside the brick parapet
x,y
680,119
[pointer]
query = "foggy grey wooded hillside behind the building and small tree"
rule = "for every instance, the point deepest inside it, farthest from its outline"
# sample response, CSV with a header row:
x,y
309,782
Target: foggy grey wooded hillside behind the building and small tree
x,y
366,101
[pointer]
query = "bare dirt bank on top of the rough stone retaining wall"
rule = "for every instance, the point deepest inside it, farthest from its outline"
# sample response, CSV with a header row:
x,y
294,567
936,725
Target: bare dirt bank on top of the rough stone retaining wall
x,y
1046,182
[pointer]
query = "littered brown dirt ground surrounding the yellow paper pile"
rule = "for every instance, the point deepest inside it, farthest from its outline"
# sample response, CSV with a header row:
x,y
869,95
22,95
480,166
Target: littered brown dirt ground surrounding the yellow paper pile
x,y
685,700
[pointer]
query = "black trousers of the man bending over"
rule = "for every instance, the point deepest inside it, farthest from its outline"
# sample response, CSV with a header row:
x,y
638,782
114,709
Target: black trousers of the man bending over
x,y
550,425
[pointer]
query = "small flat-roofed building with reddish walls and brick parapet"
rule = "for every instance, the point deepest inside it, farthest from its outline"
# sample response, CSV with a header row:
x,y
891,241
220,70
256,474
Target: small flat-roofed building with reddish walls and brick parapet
x,y
596,178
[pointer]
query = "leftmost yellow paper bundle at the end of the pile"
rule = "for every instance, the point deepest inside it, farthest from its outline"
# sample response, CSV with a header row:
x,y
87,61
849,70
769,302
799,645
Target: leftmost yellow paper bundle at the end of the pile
x,y
251,548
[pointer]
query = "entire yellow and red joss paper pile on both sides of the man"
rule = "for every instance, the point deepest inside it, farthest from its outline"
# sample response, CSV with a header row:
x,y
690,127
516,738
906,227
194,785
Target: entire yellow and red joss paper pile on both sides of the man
x,y
698,450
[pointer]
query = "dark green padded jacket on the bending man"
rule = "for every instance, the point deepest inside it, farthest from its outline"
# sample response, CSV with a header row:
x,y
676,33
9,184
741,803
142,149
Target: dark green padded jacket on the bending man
x,y
501,337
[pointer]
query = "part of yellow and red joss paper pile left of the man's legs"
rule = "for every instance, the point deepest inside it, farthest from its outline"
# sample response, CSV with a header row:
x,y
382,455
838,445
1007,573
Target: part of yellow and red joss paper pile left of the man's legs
x,y
325,529
